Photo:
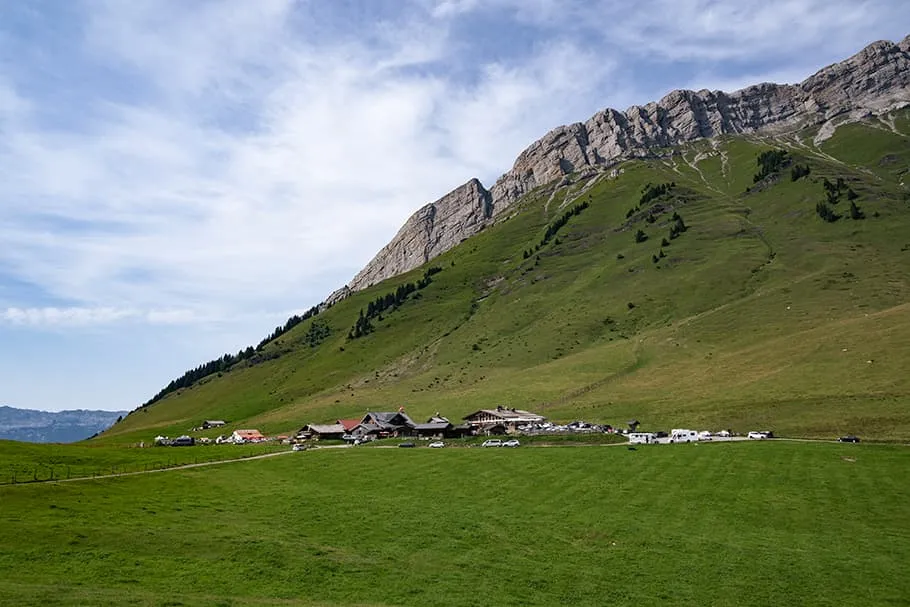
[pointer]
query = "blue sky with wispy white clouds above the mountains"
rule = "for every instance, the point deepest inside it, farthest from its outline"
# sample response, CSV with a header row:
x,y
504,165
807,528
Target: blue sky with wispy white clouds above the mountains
x,y
177,177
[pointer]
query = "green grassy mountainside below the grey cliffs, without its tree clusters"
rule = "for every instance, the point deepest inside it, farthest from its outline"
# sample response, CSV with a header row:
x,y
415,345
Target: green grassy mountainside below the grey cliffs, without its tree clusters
x,y
760,315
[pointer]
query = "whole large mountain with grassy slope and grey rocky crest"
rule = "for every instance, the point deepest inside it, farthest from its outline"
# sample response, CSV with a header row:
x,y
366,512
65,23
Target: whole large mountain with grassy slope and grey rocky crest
x,y
758,277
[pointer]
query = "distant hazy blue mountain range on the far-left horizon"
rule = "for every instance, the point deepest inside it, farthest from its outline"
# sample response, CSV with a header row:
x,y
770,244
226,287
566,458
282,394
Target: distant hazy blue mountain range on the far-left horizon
x,y
62,427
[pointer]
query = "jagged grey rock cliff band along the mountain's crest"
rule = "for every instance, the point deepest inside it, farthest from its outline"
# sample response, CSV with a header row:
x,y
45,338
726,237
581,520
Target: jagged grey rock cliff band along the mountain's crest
x,y
874,80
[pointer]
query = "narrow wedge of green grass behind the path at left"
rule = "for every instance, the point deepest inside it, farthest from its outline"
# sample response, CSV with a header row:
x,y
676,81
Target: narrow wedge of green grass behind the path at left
x,y
30,462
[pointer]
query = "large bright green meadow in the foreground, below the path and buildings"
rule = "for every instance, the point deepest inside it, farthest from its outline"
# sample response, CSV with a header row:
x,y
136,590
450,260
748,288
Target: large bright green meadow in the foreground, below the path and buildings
x,y
726,524
